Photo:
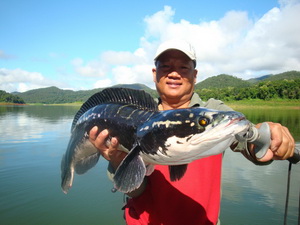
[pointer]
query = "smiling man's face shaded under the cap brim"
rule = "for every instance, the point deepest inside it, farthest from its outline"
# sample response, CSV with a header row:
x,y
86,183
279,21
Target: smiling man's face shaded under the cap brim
x,y
174,76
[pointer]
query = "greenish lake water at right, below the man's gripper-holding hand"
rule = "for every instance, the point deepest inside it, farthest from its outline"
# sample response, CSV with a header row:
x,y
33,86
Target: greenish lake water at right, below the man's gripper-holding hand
x,y
249,189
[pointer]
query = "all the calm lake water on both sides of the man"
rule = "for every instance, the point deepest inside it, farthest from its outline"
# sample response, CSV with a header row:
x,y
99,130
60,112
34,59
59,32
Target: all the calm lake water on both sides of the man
x,y
34,138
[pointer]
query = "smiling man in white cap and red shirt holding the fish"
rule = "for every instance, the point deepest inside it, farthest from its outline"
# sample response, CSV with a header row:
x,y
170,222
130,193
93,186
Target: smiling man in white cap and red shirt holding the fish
x,y
195,199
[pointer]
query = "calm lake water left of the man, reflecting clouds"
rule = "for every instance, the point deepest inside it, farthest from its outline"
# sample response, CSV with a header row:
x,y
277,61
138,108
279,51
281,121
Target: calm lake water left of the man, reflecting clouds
x,y
31,147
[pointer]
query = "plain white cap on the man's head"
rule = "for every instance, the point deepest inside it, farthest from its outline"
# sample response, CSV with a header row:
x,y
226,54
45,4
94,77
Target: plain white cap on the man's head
x,y
180,45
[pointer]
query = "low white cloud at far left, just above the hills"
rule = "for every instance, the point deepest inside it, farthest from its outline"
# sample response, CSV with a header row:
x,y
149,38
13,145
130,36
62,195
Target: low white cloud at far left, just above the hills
x,y
21,80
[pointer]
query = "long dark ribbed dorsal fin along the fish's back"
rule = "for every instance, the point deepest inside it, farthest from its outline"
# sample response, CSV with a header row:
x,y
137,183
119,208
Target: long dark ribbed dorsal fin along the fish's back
x,y
138,98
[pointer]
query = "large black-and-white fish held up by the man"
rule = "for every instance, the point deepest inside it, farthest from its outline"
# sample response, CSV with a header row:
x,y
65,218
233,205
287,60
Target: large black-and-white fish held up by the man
x,y
150,137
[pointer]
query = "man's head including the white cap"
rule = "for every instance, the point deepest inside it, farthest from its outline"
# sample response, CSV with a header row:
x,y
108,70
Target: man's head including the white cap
x,y
175,74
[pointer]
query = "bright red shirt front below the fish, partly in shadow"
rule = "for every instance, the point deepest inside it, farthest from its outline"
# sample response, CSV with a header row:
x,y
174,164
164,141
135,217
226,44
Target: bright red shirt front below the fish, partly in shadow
x,y
193,200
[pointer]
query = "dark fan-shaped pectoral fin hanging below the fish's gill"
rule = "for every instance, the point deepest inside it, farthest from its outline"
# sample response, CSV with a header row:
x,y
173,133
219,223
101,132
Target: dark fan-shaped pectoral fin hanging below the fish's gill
x,y
131,172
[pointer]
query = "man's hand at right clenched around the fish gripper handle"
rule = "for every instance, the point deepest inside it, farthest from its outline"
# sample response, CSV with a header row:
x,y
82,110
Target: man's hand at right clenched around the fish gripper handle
x,y
282,143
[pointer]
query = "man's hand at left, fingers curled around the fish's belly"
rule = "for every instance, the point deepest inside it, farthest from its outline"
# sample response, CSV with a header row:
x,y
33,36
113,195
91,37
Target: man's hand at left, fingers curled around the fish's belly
x,y
111,152
